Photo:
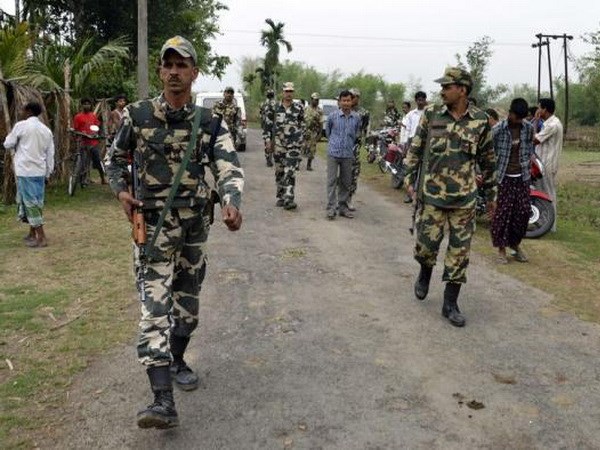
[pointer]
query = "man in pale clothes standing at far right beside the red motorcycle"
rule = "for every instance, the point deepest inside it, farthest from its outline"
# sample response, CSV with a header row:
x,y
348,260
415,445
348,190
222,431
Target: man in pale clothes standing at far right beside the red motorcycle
x,y
549,146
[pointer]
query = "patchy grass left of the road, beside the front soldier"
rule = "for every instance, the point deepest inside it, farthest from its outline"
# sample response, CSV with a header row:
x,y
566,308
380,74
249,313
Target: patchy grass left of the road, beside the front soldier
x,y
57,311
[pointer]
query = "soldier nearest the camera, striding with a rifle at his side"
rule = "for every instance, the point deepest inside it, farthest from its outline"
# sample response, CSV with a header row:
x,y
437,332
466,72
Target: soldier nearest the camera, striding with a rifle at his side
x,y
155,134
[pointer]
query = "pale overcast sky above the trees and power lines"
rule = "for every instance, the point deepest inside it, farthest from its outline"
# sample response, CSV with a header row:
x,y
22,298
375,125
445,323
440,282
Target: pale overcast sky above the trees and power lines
x,y
404,40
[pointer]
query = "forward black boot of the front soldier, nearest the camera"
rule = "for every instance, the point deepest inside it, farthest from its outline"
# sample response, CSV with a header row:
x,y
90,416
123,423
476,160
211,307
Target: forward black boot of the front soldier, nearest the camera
x,y
161,413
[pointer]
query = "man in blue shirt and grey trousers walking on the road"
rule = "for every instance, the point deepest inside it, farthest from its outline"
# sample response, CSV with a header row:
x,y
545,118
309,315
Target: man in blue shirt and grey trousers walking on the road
x,y
342,130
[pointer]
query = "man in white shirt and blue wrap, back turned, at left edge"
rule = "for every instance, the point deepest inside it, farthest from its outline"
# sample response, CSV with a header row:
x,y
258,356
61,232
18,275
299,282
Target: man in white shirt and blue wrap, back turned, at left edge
x,y
32,146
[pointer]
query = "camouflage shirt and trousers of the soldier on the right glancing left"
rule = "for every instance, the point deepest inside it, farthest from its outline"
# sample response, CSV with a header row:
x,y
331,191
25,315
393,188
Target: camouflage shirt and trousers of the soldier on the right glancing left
x,y
449,190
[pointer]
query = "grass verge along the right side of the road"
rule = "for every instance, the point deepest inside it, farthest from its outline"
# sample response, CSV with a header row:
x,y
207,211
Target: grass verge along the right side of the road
x,y
565,264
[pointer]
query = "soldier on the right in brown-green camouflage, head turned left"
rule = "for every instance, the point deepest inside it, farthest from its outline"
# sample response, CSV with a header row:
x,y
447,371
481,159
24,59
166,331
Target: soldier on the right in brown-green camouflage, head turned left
x,y
451,140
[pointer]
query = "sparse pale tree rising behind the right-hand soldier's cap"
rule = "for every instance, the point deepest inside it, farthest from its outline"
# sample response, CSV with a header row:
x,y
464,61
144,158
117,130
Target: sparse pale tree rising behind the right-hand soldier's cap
x,y
477,60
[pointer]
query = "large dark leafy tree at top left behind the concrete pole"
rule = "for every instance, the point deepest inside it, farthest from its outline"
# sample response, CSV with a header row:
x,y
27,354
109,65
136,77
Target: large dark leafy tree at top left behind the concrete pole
x,y
73,21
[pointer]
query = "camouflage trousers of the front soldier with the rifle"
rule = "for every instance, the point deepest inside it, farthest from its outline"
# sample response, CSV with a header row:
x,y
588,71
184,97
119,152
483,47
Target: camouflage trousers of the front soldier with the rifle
x,y
174,276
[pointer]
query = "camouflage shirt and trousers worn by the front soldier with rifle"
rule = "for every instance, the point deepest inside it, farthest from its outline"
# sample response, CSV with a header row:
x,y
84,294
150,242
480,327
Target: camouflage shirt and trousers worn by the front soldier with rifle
x,y
158,138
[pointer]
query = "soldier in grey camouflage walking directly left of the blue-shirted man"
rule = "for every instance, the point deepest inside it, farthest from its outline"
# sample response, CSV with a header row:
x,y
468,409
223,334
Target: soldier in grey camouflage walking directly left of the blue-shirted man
x,y
284,137
